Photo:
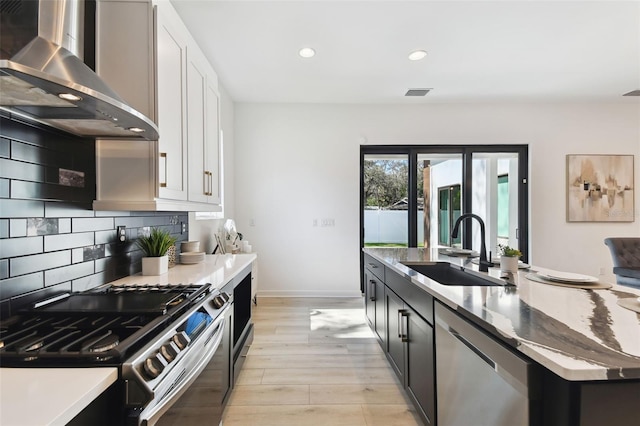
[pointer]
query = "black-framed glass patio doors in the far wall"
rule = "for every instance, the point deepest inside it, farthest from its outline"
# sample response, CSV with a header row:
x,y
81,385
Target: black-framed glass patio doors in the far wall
x,y
412,195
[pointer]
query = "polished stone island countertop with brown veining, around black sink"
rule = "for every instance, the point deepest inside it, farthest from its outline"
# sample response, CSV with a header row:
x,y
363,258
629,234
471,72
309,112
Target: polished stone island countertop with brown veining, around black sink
x,y
578,334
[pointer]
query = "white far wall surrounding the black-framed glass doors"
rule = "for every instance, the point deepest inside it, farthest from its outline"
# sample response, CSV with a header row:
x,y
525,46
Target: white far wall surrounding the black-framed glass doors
x,y
300,162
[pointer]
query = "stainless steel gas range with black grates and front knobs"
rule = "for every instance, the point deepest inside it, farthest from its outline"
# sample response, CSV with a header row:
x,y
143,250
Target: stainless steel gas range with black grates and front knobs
x,y
161,338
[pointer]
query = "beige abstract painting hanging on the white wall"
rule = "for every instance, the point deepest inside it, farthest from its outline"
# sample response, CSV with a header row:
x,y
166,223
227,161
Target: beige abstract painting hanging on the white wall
x,y
600,188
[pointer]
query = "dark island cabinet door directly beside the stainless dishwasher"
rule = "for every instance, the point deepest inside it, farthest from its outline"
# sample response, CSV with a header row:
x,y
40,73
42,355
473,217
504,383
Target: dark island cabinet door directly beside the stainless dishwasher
x,y
420,369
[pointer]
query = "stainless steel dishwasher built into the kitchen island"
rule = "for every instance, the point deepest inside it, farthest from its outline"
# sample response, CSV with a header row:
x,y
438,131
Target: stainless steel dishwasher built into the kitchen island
x,y
479,381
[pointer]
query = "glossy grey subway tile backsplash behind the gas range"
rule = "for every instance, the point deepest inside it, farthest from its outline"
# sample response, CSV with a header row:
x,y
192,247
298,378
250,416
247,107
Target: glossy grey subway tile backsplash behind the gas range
x,y
51,240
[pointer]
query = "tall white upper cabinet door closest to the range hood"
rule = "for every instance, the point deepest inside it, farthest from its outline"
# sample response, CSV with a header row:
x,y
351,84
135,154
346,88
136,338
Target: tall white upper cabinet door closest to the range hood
x,y
171,59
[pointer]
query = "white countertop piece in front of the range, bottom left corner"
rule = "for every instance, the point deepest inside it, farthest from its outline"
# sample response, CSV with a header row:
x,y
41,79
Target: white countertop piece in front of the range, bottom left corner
x,y
49,396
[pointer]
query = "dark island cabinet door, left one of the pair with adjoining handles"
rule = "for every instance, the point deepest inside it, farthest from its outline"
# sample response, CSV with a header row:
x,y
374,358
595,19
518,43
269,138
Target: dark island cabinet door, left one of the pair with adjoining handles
x,y
395,321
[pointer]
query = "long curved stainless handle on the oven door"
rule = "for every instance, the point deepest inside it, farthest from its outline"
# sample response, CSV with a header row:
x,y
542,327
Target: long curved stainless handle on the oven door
x,y
150,416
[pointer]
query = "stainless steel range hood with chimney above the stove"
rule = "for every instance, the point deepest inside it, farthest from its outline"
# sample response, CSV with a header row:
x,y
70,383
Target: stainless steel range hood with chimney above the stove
x,y
45,82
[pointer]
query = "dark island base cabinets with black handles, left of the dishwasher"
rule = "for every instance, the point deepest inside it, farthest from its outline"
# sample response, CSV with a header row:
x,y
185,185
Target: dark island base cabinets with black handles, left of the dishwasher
x,y
402,318
